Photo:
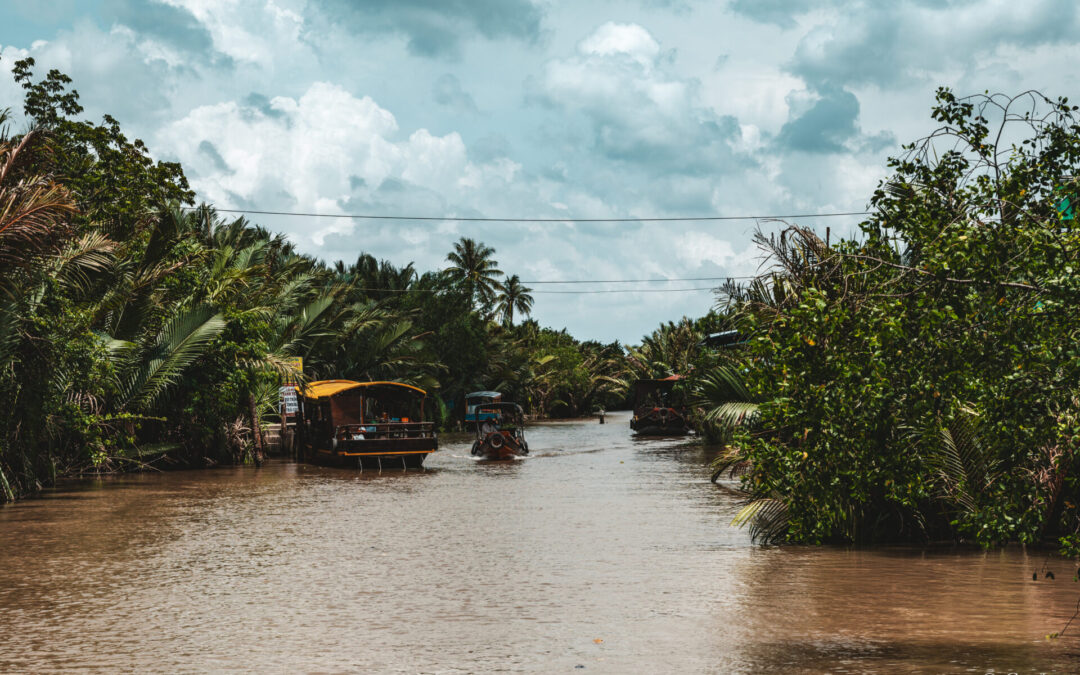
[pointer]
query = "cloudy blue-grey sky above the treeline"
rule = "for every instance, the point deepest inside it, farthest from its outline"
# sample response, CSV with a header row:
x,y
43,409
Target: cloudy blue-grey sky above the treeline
x,y
542,110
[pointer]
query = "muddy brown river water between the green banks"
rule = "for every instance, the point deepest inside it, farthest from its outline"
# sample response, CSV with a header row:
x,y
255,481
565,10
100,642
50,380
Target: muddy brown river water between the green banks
x,y
597,555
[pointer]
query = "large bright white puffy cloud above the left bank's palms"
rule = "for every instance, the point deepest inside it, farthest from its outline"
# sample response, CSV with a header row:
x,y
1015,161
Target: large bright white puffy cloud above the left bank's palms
x,y
327,151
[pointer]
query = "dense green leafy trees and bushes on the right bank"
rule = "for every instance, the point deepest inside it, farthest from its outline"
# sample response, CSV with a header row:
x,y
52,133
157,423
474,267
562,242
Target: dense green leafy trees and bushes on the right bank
x,y
921,383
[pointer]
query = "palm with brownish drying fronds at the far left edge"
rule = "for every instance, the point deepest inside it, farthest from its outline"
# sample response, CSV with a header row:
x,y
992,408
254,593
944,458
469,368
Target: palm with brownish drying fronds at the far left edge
x,y
39,258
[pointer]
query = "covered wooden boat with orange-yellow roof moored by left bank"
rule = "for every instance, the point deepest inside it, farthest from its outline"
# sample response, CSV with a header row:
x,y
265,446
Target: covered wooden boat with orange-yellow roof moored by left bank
x,y
364,425
